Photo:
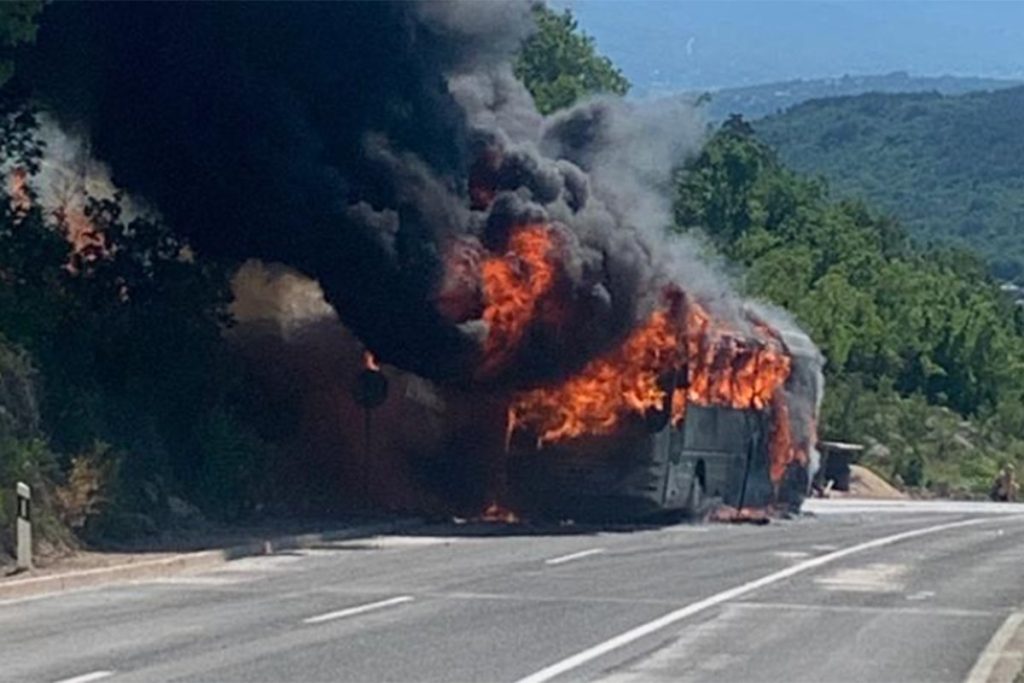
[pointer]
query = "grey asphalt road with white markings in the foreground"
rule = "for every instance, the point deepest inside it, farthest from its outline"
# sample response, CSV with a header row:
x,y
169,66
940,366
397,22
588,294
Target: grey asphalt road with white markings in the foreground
x,y
854,592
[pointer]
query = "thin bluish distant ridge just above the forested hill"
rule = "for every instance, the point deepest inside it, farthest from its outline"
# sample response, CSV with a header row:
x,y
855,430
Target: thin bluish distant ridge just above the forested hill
x,y
760,101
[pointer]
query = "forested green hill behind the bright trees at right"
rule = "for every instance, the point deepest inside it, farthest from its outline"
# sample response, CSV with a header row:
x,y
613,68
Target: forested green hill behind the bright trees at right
x,y
951,167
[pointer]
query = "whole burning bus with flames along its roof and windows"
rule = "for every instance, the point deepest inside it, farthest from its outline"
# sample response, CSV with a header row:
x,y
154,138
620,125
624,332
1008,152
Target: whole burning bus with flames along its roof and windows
x,y
681,417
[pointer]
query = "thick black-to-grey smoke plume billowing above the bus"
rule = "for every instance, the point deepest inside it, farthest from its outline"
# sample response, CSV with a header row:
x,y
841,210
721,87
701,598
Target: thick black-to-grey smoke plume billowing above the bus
x,y
345,140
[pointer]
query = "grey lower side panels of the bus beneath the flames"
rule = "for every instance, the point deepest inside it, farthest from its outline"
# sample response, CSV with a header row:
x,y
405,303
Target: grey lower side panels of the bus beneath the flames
x,y
716,453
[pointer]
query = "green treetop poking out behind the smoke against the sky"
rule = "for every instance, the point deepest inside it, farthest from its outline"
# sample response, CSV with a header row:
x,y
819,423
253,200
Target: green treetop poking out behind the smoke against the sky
x,y
560,64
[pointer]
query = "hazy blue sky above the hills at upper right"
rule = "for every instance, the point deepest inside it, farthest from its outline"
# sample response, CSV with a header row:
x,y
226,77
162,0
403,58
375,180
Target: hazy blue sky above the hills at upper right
x,y
674,45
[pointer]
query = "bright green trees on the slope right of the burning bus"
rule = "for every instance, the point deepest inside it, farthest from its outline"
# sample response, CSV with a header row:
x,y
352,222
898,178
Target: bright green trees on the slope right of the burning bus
x,y
920,329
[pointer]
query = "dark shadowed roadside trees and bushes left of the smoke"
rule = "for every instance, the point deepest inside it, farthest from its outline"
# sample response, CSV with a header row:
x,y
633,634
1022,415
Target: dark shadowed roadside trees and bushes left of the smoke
x,y
114,372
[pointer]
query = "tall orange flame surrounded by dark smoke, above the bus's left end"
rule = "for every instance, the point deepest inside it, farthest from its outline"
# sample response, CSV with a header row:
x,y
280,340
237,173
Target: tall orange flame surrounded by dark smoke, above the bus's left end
x,y
514,286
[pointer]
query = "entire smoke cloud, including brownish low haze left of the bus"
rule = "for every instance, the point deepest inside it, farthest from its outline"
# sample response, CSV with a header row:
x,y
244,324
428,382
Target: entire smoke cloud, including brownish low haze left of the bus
x,y
365,164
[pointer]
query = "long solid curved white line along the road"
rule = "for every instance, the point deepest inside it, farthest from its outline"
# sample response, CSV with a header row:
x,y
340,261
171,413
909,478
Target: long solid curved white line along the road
x,y
655,626
